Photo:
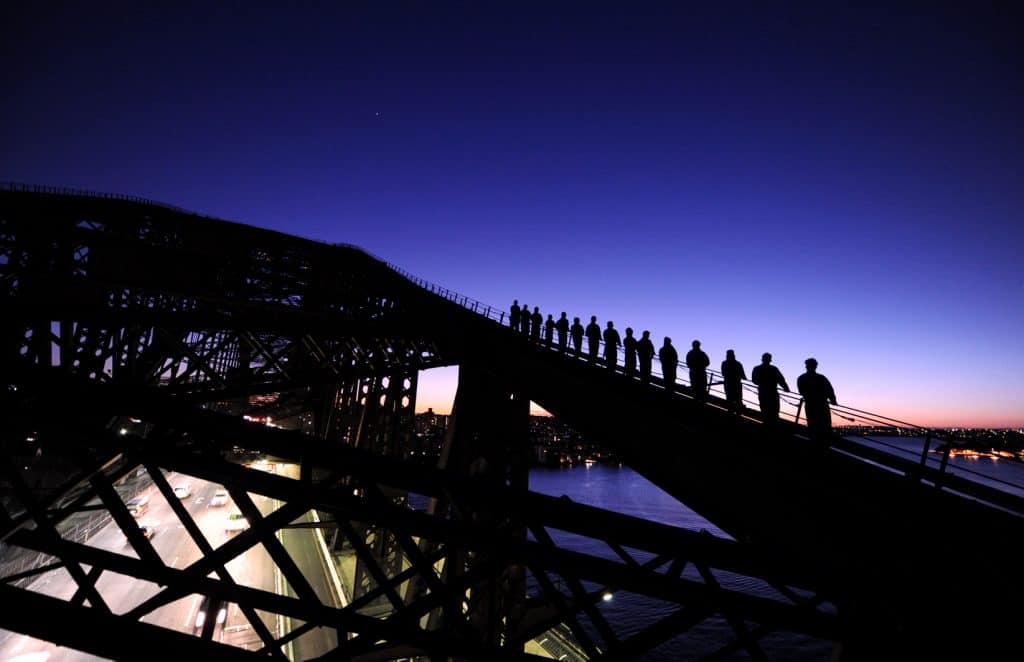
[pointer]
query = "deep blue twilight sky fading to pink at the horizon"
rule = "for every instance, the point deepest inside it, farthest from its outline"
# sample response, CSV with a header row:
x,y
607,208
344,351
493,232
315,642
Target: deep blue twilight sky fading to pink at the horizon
x,y
810,181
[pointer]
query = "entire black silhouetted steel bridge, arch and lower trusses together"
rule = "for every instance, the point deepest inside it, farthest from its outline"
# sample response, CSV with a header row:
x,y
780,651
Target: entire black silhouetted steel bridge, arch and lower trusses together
x,y
137,336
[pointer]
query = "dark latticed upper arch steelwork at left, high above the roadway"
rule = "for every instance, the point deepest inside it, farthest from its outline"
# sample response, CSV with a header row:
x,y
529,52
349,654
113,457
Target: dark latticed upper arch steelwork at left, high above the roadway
x,y
143,295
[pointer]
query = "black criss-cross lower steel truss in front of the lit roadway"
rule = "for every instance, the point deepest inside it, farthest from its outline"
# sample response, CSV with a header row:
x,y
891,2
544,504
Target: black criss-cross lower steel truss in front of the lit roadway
x,y
695,575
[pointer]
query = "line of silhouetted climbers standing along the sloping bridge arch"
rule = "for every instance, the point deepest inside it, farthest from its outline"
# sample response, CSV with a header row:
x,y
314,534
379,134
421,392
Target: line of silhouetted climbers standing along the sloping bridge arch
x,y
815,388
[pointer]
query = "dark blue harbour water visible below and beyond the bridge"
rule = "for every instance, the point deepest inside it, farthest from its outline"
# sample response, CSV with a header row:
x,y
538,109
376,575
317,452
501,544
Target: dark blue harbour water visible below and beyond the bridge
x,y
623,490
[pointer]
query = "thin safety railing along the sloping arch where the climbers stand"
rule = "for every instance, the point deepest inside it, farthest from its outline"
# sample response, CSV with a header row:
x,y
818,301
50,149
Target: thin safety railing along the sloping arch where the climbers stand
x,y
919,465
